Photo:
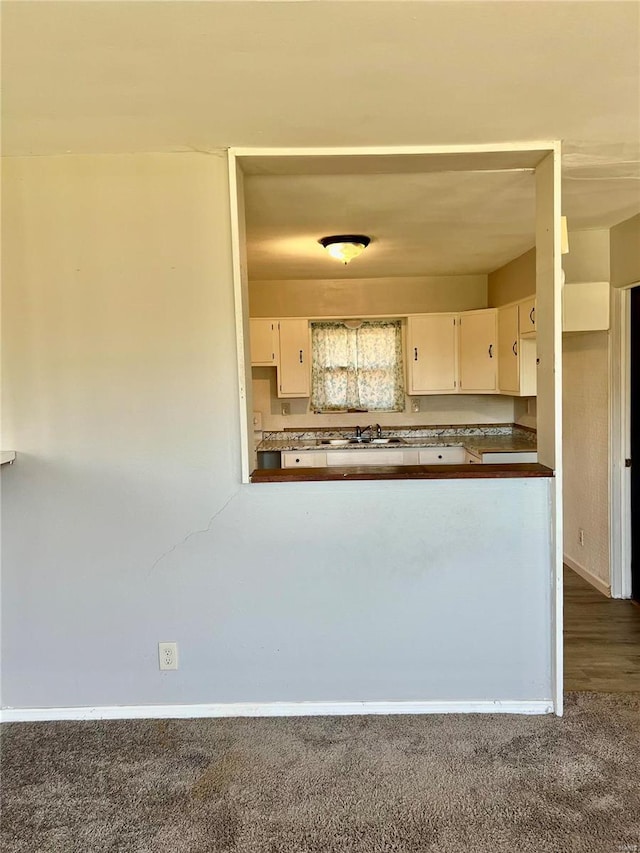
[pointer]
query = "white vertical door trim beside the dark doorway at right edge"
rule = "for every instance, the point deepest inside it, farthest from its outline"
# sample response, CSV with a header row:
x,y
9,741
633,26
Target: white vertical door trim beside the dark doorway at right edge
x,y
620,444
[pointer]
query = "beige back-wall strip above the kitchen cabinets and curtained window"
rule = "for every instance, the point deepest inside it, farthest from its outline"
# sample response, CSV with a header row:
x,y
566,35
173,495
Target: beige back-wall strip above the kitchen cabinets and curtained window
x,y
366,296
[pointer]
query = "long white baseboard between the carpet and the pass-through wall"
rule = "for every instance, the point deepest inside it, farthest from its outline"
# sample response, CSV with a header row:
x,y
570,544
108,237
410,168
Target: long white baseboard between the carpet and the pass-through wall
x,y
273,709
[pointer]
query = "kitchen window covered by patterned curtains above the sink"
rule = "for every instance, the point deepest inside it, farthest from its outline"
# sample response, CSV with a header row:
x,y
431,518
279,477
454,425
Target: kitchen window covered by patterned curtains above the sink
x,y
357,366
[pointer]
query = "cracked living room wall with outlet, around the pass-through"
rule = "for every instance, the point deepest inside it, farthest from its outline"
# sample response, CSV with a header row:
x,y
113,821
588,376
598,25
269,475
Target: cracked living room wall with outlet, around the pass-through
x,y
124,520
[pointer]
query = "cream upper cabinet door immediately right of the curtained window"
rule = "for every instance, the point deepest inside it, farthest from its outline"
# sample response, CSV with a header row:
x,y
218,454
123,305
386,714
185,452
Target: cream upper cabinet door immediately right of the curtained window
x,y
432,354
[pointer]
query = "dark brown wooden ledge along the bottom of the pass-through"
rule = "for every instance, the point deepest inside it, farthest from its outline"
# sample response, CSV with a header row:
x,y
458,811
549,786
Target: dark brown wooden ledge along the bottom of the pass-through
x,y
401,472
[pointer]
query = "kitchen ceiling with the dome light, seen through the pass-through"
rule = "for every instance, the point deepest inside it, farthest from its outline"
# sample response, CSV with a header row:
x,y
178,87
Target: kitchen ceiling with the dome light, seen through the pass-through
x,y
419,224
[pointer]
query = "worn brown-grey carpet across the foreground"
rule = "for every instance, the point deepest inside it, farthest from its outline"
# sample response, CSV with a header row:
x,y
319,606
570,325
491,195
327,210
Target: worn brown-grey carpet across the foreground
x,y
469,784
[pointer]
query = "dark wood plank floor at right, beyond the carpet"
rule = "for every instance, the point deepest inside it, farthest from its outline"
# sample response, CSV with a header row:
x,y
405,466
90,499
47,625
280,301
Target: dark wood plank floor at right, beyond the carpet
x,y
601,640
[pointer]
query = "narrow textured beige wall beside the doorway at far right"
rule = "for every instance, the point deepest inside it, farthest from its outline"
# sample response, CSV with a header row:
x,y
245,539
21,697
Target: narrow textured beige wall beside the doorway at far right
x,y
586,451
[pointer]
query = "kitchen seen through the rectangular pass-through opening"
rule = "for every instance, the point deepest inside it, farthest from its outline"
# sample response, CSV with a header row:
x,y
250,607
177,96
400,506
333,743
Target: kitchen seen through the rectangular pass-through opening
x,y
468,333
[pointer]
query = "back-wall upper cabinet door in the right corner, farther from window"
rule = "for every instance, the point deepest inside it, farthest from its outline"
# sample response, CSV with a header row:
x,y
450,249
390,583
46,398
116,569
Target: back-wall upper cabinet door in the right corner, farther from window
x,y
479,352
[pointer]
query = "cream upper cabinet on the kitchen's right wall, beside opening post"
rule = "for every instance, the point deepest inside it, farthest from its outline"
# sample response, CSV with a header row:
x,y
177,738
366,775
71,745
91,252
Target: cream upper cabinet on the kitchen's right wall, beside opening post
x,y
516,354
